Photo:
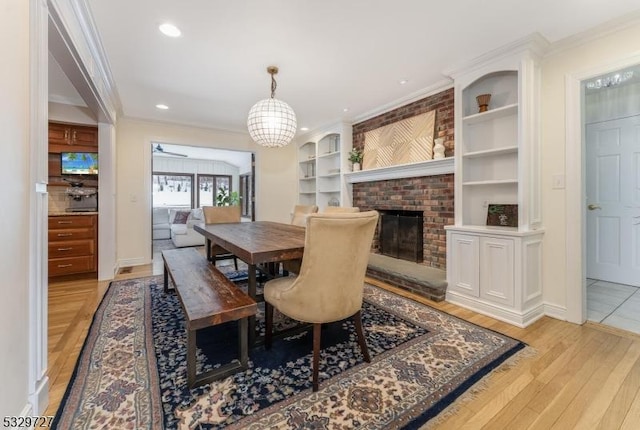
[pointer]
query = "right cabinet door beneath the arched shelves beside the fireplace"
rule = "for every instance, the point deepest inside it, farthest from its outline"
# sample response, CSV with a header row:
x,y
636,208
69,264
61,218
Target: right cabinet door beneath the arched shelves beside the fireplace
x,y
496,270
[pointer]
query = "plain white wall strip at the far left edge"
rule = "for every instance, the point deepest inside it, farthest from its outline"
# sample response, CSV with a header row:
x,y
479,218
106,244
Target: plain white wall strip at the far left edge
x,y
14,218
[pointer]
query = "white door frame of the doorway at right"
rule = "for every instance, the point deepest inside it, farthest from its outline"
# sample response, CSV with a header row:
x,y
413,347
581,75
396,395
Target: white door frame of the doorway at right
x,y
575,191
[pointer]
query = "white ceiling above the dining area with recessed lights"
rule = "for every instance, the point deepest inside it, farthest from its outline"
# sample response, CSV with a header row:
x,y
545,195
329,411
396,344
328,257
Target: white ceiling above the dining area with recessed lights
x,y
332,54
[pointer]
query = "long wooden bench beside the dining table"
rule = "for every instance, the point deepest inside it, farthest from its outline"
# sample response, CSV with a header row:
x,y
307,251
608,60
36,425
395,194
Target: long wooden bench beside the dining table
x,y
208,298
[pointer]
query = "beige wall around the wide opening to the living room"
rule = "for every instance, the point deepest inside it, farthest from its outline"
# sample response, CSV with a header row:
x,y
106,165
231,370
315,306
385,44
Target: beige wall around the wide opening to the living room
x,y
275,178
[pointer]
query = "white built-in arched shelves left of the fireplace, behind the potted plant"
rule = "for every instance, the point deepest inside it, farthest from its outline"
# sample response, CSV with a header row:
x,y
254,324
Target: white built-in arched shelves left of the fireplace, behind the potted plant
x,y
322,161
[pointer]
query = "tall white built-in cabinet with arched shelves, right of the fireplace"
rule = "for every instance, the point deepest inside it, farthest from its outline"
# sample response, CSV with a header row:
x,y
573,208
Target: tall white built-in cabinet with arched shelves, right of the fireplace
x,y
497,270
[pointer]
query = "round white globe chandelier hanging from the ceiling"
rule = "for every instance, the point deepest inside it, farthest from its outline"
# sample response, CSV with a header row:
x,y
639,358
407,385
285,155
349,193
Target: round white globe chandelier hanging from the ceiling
x,y
272,122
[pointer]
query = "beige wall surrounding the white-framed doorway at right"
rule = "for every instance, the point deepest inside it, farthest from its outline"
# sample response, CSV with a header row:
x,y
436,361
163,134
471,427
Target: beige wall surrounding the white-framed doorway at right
x,y
606,50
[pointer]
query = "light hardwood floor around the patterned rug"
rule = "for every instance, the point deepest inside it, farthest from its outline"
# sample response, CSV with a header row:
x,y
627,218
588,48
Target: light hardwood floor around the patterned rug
x,y
585,377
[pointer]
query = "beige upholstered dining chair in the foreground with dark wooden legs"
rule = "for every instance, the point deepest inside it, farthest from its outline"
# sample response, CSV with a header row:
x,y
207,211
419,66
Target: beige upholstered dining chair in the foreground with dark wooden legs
x,y
330,285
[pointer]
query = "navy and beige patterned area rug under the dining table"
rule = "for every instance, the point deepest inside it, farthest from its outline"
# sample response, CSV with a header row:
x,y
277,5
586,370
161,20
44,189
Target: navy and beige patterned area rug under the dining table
x,y
132,371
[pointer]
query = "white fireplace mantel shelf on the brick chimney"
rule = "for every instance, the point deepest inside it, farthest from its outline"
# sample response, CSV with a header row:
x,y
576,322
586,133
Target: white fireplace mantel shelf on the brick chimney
x,y
413,170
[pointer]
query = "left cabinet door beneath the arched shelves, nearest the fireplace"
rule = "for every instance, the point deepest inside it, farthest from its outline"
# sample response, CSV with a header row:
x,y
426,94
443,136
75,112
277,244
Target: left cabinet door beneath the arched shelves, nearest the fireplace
x,y
464,264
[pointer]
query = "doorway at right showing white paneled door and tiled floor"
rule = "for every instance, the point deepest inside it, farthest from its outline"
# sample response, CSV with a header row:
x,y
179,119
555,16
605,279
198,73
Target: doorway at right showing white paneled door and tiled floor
x,y
612,184
